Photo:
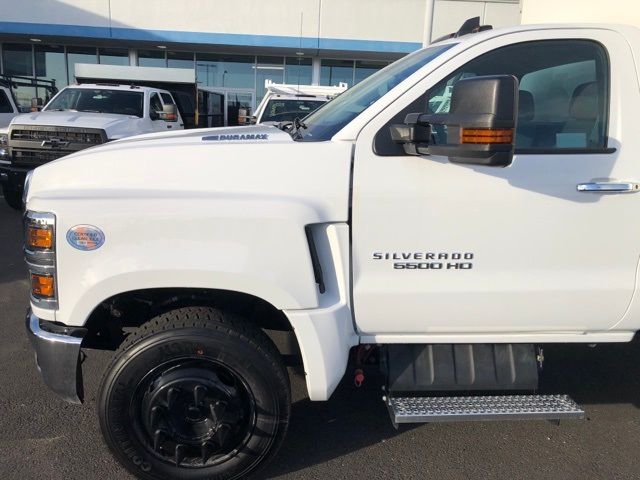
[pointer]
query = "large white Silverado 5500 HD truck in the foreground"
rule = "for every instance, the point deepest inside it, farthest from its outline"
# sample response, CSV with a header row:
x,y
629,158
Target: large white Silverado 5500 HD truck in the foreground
x,y
445,218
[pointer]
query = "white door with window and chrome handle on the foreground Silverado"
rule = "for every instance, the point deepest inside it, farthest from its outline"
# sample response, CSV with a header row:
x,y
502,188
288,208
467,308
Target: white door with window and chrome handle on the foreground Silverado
x,y
443,249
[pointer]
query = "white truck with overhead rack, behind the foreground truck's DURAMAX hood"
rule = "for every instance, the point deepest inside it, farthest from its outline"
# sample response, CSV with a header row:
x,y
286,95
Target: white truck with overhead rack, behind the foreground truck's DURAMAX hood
x,y
286,102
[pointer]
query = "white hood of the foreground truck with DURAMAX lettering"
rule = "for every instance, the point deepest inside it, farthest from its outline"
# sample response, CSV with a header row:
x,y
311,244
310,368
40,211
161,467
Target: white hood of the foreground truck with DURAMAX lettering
x,y
231,160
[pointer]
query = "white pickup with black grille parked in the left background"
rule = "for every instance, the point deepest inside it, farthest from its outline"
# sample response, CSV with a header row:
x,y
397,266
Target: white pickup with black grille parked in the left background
x,y
78,117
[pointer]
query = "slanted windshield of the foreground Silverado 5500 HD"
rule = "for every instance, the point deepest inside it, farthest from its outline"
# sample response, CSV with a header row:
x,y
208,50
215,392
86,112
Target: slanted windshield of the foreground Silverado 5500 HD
x,y
325,122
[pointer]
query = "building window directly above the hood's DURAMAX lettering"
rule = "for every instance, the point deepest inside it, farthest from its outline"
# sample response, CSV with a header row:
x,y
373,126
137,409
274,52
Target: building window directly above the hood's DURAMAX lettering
x,y
235,71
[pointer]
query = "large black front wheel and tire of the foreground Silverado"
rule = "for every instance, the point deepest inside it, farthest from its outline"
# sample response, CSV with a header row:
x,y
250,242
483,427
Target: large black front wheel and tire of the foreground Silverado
x,y
195,394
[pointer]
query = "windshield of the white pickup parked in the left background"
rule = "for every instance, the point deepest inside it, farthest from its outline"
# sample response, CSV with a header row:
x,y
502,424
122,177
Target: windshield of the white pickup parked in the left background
x,y
99,100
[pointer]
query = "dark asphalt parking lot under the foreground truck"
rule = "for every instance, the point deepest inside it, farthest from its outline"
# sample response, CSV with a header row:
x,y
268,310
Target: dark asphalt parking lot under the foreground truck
x,y
349,437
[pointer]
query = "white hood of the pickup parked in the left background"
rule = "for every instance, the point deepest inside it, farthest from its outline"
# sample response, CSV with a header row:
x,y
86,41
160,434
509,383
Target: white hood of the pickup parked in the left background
x,y
110,122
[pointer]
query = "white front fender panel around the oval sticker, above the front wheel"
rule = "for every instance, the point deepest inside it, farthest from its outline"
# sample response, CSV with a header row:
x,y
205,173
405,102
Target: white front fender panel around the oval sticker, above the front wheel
x,y
254,247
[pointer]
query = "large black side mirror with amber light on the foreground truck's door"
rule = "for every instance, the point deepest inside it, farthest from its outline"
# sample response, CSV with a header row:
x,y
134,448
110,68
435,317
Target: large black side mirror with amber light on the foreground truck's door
x,y
480,126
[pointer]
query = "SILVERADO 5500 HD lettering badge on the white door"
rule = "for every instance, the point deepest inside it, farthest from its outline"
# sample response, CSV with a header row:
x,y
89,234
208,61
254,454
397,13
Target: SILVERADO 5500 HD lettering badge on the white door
x,y
427,260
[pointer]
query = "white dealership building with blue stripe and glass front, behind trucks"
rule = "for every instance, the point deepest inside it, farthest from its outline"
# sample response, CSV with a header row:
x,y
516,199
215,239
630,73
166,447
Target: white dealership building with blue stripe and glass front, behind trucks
x,y
233,46
